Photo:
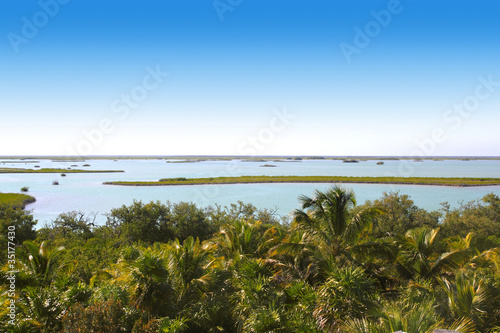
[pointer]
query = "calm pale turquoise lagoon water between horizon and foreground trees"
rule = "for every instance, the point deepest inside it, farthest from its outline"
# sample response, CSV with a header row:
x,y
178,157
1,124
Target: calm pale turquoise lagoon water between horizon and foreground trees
x,y
86,193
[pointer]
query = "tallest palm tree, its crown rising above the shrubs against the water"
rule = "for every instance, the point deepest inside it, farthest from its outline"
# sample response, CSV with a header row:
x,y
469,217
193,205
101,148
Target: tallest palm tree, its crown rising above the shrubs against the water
x,y
329,227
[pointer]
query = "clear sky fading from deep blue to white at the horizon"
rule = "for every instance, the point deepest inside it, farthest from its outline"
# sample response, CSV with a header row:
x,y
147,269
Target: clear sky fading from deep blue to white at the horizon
x,y
241,77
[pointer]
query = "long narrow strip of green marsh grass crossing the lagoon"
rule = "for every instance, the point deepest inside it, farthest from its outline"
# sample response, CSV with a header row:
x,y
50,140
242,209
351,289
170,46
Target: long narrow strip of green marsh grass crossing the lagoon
x,y
315,179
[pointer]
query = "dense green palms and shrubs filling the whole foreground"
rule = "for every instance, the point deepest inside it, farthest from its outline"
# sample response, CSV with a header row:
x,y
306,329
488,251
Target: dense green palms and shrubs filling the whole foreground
x,y
383,266
